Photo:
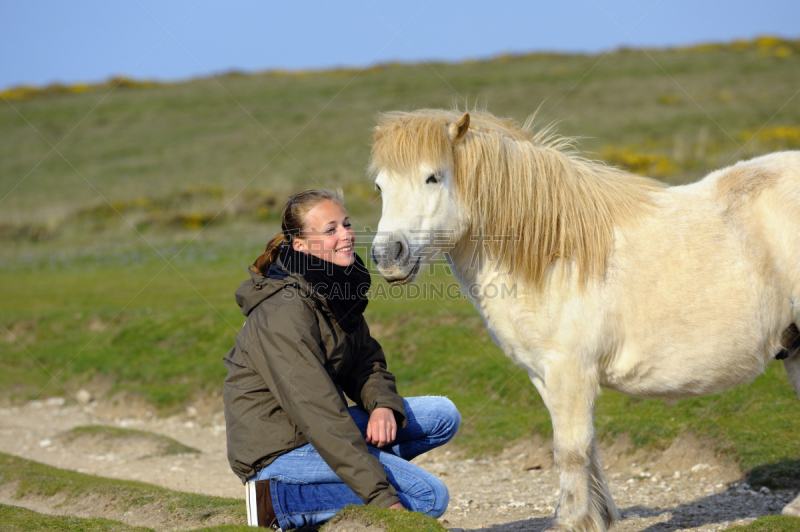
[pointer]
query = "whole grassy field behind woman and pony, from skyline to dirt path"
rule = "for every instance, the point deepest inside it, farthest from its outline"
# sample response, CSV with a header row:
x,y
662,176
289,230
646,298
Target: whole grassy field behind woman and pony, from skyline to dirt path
x,y
128,215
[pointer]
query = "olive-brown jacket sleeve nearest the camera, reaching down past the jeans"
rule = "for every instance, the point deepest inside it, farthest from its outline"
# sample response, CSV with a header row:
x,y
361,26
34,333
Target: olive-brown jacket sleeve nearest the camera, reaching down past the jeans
x,y
287,353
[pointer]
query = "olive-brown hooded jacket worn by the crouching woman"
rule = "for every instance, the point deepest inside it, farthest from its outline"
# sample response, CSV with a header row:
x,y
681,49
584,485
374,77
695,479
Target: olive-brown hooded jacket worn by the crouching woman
x,y
288,374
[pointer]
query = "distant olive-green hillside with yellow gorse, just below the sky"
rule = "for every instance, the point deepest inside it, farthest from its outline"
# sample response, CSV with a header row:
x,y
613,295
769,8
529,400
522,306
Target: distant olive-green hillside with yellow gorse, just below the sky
x,y
674,114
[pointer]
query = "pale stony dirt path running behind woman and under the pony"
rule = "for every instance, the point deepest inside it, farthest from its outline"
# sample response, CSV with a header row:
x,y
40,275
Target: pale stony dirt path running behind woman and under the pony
x,y
683,488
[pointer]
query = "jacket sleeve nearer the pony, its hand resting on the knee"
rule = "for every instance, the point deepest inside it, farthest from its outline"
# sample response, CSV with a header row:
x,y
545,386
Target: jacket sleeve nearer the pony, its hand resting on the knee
x,y
370,383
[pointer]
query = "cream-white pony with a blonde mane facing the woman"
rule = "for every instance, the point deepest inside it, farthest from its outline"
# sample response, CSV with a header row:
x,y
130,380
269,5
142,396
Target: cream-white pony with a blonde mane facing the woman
x,y
620,281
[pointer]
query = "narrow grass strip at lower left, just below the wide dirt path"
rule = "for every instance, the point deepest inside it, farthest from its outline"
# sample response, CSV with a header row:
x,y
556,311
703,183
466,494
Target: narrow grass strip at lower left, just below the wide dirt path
x,y
40,480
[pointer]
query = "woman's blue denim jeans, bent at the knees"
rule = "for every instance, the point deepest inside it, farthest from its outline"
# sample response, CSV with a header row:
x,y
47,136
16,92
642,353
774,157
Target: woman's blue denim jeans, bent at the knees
x,y
305,491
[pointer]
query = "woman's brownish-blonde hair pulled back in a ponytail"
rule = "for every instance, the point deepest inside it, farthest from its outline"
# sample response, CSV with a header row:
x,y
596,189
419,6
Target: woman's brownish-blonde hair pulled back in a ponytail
x,y
293,222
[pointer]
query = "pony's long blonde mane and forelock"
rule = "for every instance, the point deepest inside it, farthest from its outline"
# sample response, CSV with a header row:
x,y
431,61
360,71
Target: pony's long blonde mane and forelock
x,y
532,198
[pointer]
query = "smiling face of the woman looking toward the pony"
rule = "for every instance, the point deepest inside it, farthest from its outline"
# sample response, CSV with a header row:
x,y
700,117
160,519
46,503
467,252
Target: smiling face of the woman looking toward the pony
x,y
327,234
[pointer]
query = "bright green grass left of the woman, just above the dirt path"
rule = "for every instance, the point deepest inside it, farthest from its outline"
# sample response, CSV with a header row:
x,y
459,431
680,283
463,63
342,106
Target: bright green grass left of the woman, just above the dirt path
x,y
157,331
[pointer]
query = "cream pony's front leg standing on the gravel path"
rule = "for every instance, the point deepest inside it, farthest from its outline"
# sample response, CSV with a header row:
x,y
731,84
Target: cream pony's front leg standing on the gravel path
x,y
584,502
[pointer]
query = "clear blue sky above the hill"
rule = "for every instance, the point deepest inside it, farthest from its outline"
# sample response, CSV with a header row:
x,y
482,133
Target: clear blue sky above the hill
x,y
44,42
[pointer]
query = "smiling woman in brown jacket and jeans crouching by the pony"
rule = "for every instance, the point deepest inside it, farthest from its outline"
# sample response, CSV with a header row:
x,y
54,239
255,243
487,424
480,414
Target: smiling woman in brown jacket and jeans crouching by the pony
x,y
304,349
